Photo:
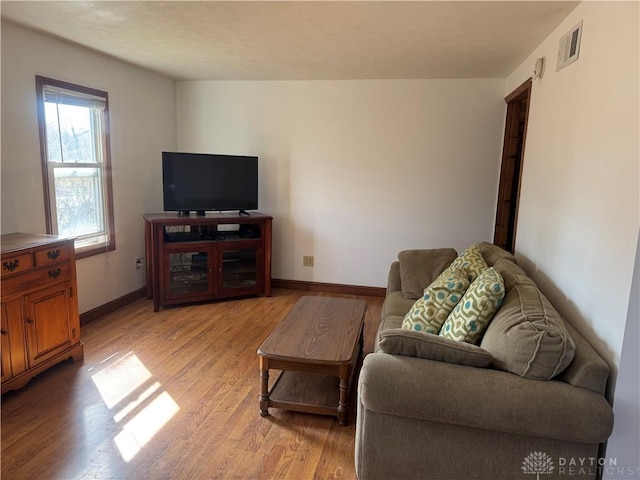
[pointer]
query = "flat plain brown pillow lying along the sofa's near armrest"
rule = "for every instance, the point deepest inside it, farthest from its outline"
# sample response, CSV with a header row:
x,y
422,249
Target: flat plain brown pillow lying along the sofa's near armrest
x,y
432,347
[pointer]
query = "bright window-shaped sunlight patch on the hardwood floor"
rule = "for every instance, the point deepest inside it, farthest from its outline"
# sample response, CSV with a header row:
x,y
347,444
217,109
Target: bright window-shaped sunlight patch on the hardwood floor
x,y
117,383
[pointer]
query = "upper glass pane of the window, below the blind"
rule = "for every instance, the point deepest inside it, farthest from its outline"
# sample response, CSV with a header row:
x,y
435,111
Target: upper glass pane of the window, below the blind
x,y
69,137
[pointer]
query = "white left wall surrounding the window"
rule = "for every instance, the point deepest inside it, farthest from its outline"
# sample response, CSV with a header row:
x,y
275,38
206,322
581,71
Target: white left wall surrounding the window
x,y
142,121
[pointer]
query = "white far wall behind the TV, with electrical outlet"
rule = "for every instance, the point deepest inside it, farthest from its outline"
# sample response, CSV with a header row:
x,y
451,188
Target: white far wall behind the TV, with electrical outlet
x,y
354,171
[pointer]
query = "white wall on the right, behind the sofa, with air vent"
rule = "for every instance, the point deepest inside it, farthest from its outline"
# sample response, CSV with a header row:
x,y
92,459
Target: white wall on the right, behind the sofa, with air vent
x,y
579,211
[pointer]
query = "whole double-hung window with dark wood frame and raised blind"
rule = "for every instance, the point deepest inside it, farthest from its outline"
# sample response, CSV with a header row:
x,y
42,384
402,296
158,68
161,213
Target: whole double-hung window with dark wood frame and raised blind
x,y
76,164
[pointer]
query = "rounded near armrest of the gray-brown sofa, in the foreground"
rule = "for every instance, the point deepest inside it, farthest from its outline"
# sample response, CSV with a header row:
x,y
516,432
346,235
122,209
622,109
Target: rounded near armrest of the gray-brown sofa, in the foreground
x,y
482,398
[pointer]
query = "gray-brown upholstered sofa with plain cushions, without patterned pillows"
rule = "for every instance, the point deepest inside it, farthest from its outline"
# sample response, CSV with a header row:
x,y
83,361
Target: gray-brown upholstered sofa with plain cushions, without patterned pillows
x,y
503,409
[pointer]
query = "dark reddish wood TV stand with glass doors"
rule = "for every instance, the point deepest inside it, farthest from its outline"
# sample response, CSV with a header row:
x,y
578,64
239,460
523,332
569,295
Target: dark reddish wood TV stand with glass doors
x,y
194,258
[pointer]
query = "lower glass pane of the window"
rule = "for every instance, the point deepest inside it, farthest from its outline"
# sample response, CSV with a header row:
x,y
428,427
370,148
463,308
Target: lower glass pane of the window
x,y
78,195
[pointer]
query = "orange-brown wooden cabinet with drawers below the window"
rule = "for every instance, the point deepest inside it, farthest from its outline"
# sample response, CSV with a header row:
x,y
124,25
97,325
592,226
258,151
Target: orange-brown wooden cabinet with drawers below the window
x,y
39,307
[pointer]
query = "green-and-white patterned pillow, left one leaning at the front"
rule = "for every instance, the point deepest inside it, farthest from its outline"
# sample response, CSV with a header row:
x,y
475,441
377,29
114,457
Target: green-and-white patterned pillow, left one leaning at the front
x,y
429,312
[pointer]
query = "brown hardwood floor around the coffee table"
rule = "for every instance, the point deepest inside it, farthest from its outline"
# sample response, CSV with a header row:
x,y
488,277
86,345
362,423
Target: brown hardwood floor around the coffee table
x,y
173,394
